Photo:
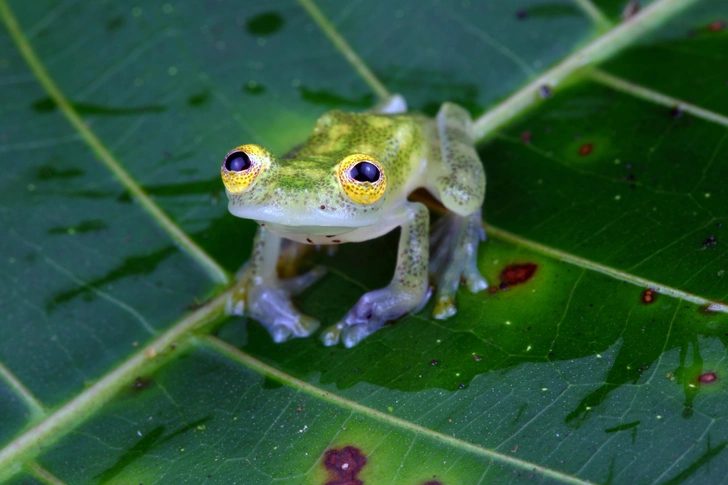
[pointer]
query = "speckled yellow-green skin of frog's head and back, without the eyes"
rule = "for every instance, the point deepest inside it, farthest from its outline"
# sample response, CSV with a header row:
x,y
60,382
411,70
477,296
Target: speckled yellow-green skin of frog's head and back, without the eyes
x,y
303,190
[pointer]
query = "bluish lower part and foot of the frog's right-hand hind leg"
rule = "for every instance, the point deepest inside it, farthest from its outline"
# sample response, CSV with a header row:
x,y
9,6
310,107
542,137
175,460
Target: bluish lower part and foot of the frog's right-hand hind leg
x,y
455,242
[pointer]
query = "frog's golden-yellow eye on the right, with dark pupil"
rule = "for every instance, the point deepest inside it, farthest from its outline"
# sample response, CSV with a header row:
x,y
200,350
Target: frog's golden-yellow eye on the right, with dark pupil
x,y
362,178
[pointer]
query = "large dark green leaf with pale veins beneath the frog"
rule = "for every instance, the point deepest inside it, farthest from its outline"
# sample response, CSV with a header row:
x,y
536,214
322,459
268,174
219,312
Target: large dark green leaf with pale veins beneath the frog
x,y
605,142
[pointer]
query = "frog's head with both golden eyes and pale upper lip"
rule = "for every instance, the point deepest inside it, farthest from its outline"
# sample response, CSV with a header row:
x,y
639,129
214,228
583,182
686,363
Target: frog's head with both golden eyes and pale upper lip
x,y
315,194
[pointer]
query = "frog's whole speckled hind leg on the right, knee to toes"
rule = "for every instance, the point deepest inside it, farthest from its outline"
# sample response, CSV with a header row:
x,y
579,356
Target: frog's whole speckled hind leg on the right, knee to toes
x,y
460,184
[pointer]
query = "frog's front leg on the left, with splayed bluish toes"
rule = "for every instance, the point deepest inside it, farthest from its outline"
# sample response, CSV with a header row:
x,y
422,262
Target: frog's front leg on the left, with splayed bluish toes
x,y
261,295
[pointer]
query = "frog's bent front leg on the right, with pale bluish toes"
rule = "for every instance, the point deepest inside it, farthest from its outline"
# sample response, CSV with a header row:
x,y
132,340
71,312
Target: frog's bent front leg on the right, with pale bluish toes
x,y
407,292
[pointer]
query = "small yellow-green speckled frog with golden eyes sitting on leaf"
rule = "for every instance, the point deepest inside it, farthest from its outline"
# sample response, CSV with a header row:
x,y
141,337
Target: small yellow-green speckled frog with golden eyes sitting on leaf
x,y
352,181
